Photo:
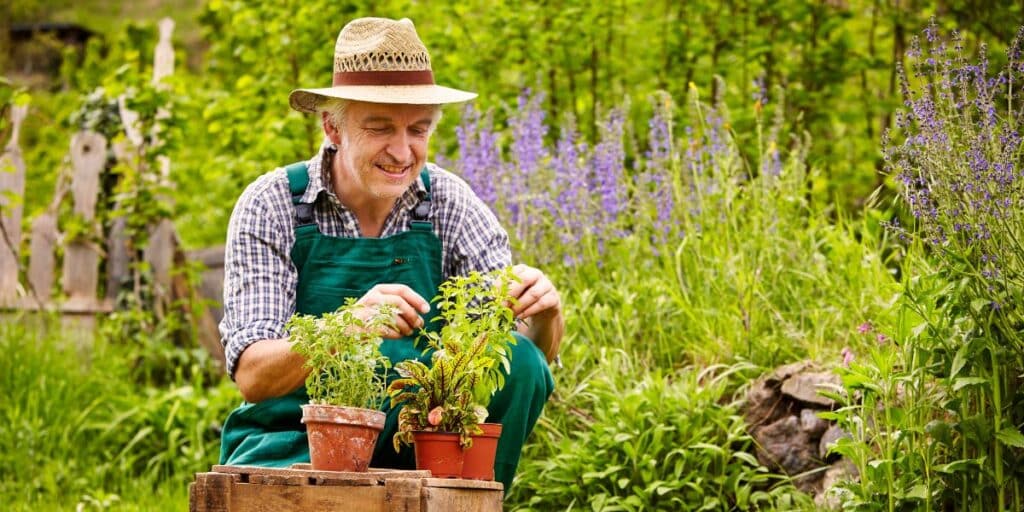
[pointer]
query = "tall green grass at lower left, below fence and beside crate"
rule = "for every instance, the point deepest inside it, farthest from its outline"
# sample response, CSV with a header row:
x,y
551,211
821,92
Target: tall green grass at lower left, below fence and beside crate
x,y
79,433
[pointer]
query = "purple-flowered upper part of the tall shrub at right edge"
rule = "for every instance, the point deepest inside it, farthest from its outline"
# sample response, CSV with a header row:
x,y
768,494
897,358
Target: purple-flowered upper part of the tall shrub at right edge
x,y
959,166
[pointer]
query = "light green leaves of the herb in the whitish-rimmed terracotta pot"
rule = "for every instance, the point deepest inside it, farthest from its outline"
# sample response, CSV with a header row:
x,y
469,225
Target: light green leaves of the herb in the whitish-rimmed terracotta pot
x,y
343,354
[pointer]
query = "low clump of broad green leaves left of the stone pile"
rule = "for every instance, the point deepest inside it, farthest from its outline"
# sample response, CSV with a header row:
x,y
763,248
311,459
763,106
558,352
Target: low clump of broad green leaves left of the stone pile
x,y
673,441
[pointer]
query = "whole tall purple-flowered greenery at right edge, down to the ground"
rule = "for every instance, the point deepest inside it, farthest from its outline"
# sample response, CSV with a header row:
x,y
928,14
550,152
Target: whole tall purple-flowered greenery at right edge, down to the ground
x,y
937,422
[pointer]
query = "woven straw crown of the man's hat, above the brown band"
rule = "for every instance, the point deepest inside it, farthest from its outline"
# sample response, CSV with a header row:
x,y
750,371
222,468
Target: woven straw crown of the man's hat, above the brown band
x,y
373,45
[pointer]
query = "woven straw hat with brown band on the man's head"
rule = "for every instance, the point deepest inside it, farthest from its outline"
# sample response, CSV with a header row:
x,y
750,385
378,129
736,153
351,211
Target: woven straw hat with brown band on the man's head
x,y
383,62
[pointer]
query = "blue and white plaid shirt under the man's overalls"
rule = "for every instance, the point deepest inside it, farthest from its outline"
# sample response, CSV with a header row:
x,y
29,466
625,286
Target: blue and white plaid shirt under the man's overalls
x,y
261,279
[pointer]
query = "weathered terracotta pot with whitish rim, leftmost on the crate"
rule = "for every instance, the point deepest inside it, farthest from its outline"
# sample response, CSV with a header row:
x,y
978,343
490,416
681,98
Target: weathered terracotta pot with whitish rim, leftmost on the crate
x,y
342,439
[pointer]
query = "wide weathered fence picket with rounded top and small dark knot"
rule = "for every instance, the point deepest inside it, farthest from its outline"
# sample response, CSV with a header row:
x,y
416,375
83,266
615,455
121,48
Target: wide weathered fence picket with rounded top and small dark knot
x,y
81,273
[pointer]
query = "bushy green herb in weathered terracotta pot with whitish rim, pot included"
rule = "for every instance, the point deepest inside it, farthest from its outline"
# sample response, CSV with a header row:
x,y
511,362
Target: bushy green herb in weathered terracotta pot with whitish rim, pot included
x,y
347,385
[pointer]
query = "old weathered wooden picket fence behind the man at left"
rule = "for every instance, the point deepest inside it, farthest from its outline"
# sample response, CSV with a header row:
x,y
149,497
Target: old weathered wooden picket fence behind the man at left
x,y
78,300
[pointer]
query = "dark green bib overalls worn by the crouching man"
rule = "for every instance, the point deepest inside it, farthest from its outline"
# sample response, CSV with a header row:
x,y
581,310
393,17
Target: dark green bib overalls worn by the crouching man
x,y
333,269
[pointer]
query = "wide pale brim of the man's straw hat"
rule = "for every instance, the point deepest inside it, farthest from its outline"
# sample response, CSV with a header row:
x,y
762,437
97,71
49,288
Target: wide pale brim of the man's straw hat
x,y
308,100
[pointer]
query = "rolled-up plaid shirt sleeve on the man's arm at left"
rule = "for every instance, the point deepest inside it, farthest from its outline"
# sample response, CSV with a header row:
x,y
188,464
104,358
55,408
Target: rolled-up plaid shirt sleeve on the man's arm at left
x,y
260,277
